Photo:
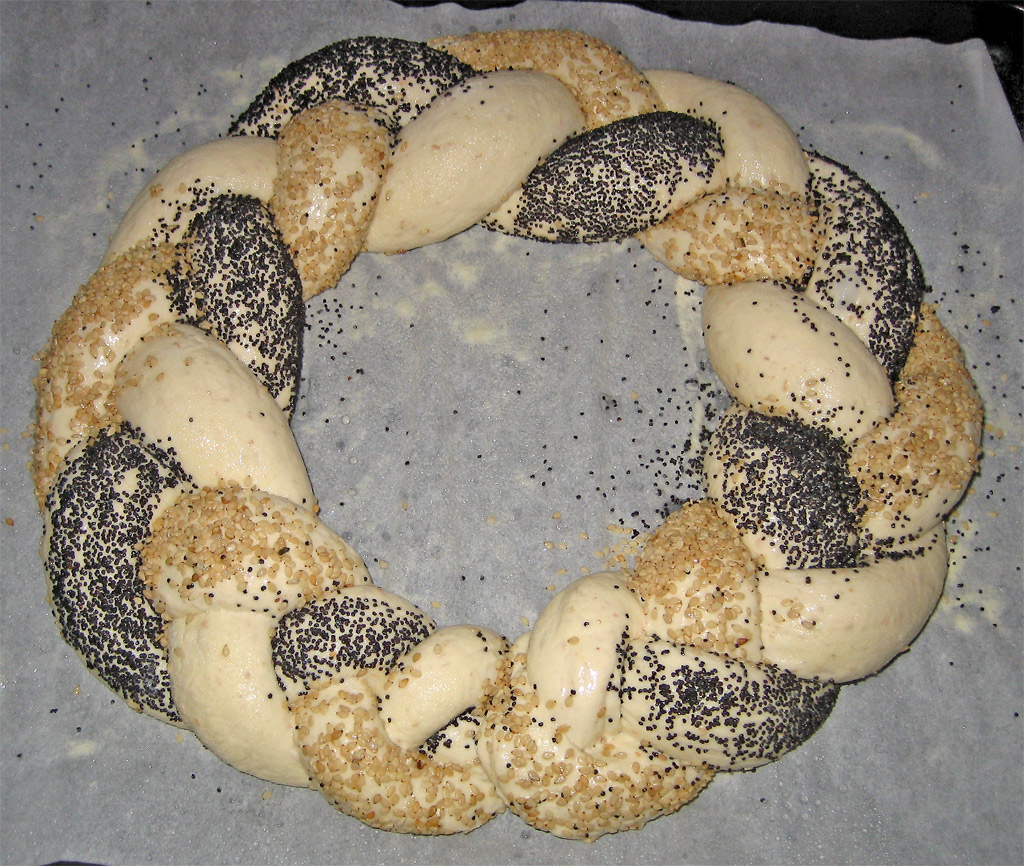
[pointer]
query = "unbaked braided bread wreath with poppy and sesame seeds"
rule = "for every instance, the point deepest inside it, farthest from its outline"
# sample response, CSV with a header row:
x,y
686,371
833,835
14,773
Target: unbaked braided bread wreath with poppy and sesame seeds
x,y
188,566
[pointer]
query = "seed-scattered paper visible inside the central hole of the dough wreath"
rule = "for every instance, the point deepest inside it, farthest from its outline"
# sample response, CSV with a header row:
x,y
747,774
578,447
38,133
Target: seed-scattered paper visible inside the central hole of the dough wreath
x,y
475,416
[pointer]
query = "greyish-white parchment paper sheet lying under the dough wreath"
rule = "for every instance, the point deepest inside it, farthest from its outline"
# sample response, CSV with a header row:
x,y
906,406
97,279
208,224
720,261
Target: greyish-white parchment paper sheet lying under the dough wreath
x,y
478,414
